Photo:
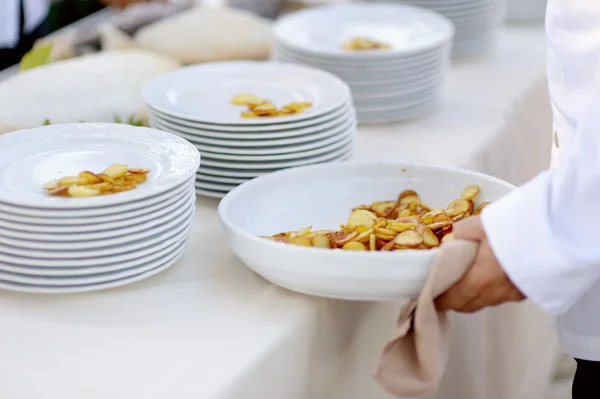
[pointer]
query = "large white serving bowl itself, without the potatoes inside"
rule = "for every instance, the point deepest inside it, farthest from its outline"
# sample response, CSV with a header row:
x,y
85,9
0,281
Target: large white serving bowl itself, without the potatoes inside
x,y
322,196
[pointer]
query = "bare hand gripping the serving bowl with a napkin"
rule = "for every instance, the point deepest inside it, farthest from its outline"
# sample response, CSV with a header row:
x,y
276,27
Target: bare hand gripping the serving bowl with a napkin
x,y
485,283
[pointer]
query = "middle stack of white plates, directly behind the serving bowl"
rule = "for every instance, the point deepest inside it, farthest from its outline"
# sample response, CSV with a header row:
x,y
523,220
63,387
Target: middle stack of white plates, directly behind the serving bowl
x,y
195,103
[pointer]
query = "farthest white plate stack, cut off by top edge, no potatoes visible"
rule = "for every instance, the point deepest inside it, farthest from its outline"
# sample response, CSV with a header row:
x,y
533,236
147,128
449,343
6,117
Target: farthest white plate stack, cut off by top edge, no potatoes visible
x,y
476,22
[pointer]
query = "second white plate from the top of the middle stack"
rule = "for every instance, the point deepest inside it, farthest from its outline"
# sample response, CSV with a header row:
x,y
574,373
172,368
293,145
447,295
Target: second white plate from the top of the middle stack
x,y
314,121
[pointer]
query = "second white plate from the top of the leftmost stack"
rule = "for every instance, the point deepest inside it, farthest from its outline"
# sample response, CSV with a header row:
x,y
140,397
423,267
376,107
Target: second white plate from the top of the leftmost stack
x,y
88,217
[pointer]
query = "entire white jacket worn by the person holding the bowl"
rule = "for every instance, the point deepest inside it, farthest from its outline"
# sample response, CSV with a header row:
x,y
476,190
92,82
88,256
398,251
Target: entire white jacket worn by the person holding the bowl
x,y
546,235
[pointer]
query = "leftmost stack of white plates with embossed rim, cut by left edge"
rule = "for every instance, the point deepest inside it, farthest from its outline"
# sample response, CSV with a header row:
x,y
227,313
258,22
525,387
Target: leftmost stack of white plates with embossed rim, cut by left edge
x,y
61,244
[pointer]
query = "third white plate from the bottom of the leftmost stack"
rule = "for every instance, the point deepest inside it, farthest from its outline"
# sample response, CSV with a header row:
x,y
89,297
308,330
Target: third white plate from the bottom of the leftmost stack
x,y
125,258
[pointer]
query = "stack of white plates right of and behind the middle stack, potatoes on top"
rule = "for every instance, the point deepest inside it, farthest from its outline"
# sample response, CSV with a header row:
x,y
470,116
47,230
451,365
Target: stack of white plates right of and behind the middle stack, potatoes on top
x,y
402,82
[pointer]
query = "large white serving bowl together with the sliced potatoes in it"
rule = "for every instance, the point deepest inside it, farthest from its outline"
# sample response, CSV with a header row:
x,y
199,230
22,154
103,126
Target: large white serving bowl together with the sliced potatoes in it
x,y
357,231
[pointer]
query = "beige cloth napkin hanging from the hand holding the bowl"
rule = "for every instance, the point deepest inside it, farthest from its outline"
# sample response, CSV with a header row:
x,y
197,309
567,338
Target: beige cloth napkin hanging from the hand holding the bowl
x,y
413,360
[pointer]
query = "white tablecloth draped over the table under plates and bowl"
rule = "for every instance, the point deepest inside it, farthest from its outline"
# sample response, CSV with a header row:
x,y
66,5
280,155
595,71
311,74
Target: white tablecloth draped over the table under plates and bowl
x,y
210,328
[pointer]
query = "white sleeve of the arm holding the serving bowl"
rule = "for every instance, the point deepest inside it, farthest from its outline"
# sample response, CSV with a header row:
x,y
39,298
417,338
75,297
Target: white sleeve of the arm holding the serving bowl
x,y
546,234
